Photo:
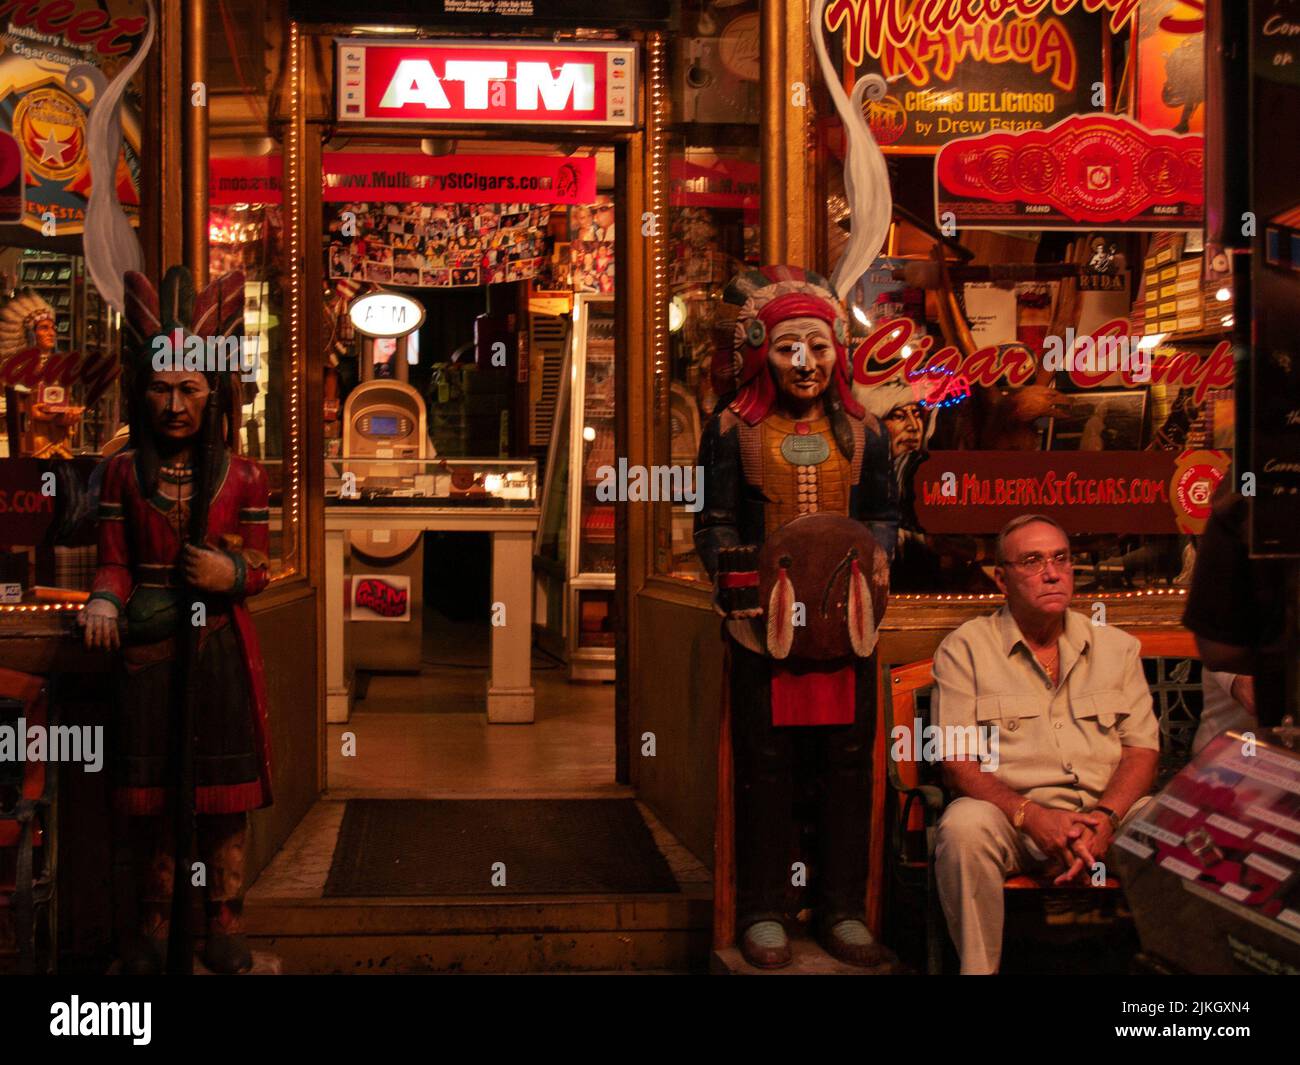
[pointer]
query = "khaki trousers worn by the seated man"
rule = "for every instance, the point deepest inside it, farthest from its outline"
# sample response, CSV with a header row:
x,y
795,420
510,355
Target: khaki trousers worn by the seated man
x,y
976,852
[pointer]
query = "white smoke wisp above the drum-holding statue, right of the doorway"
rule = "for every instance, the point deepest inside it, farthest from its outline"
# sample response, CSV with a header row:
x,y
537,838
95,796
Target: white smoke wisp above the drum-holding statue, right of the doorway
x,y
866,177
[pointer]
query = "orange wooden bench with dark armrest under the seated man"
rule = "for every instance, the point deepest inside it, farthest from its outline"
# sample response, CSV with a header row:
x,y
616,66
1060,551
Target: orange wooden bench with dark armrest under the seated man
x,y
918,789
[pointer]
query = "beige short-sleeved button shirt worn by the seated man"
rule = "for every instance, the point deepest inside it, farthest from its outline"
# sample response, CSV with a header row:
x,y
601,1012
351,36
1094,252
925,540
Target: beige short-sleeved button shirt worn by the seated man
x,y
1058,747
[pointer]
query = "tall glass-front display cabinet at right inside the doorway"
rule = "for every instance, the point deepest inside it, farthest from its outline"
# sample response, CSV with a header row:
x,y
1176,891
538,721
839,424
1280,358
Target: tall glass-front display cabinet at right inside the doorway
x,y
575,547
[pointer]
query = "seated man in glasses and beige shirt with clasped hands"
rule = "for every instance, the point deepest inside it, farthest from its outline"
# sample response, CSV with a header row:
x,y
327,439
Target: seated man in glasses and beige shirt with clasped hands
x,y
1077,742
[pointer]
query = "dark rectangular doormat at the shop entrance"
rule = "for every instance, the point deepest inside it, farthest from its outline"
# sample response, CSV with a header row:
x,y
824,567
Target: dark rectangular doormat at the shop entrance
x,y
453,847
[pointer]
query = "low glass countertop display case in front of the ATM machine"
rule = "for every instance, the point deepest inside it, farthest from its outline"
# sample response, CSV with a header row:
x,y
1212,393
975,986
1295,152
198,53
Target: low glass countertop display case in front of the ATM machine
x,y
432,483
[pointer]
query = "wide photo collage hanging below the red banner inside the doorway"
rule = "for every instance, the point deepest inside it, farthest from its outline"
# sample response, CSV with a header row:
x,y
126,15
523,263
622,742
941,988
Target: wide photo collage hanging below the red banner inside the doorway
x,y
437,246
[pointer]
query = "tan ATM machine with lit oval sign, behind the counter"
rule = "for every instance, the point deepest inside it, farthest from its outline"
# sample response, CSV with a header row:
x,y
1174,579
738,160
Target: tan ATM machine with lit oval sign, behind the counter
x,y
385,430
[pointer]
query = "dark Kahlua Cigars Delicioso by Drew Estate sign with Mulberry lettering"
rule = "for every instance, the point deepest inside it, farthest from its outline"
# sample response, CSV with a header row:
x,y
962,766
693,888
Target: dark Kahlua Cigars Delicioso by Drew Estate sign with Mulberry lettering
x,y
959,68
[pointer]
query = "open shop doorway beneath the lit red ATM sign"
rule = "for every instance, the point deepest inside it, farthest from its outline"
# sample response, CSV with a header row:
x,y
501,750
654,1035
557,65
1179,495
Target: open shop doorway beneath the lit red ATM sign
x,y
505,253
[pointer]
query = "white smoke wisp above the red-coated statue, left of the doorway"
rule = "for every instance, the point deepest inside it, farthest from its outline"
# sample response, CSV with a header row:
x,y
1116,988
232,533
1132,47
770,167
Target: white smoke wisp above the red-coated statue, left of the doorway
x,y
110,243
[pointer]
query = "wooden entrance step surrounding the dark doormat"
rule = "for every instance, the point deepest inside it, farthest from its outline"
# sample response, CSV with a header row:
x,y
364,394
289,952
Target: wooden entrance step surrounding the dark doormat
x,y
291,915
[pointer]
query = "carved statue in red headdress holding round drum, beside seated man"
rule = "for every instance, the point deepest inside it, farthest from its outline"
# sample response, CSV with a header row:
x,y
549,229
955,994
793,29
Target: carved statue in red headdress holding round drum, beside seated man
x,y
798,526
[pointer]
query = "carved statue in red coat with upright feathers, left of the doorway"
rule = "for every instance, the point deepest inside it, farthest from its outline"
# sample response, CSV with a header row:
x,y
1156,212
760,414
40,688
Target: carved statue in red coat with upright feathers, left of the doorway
x,y
183,546
